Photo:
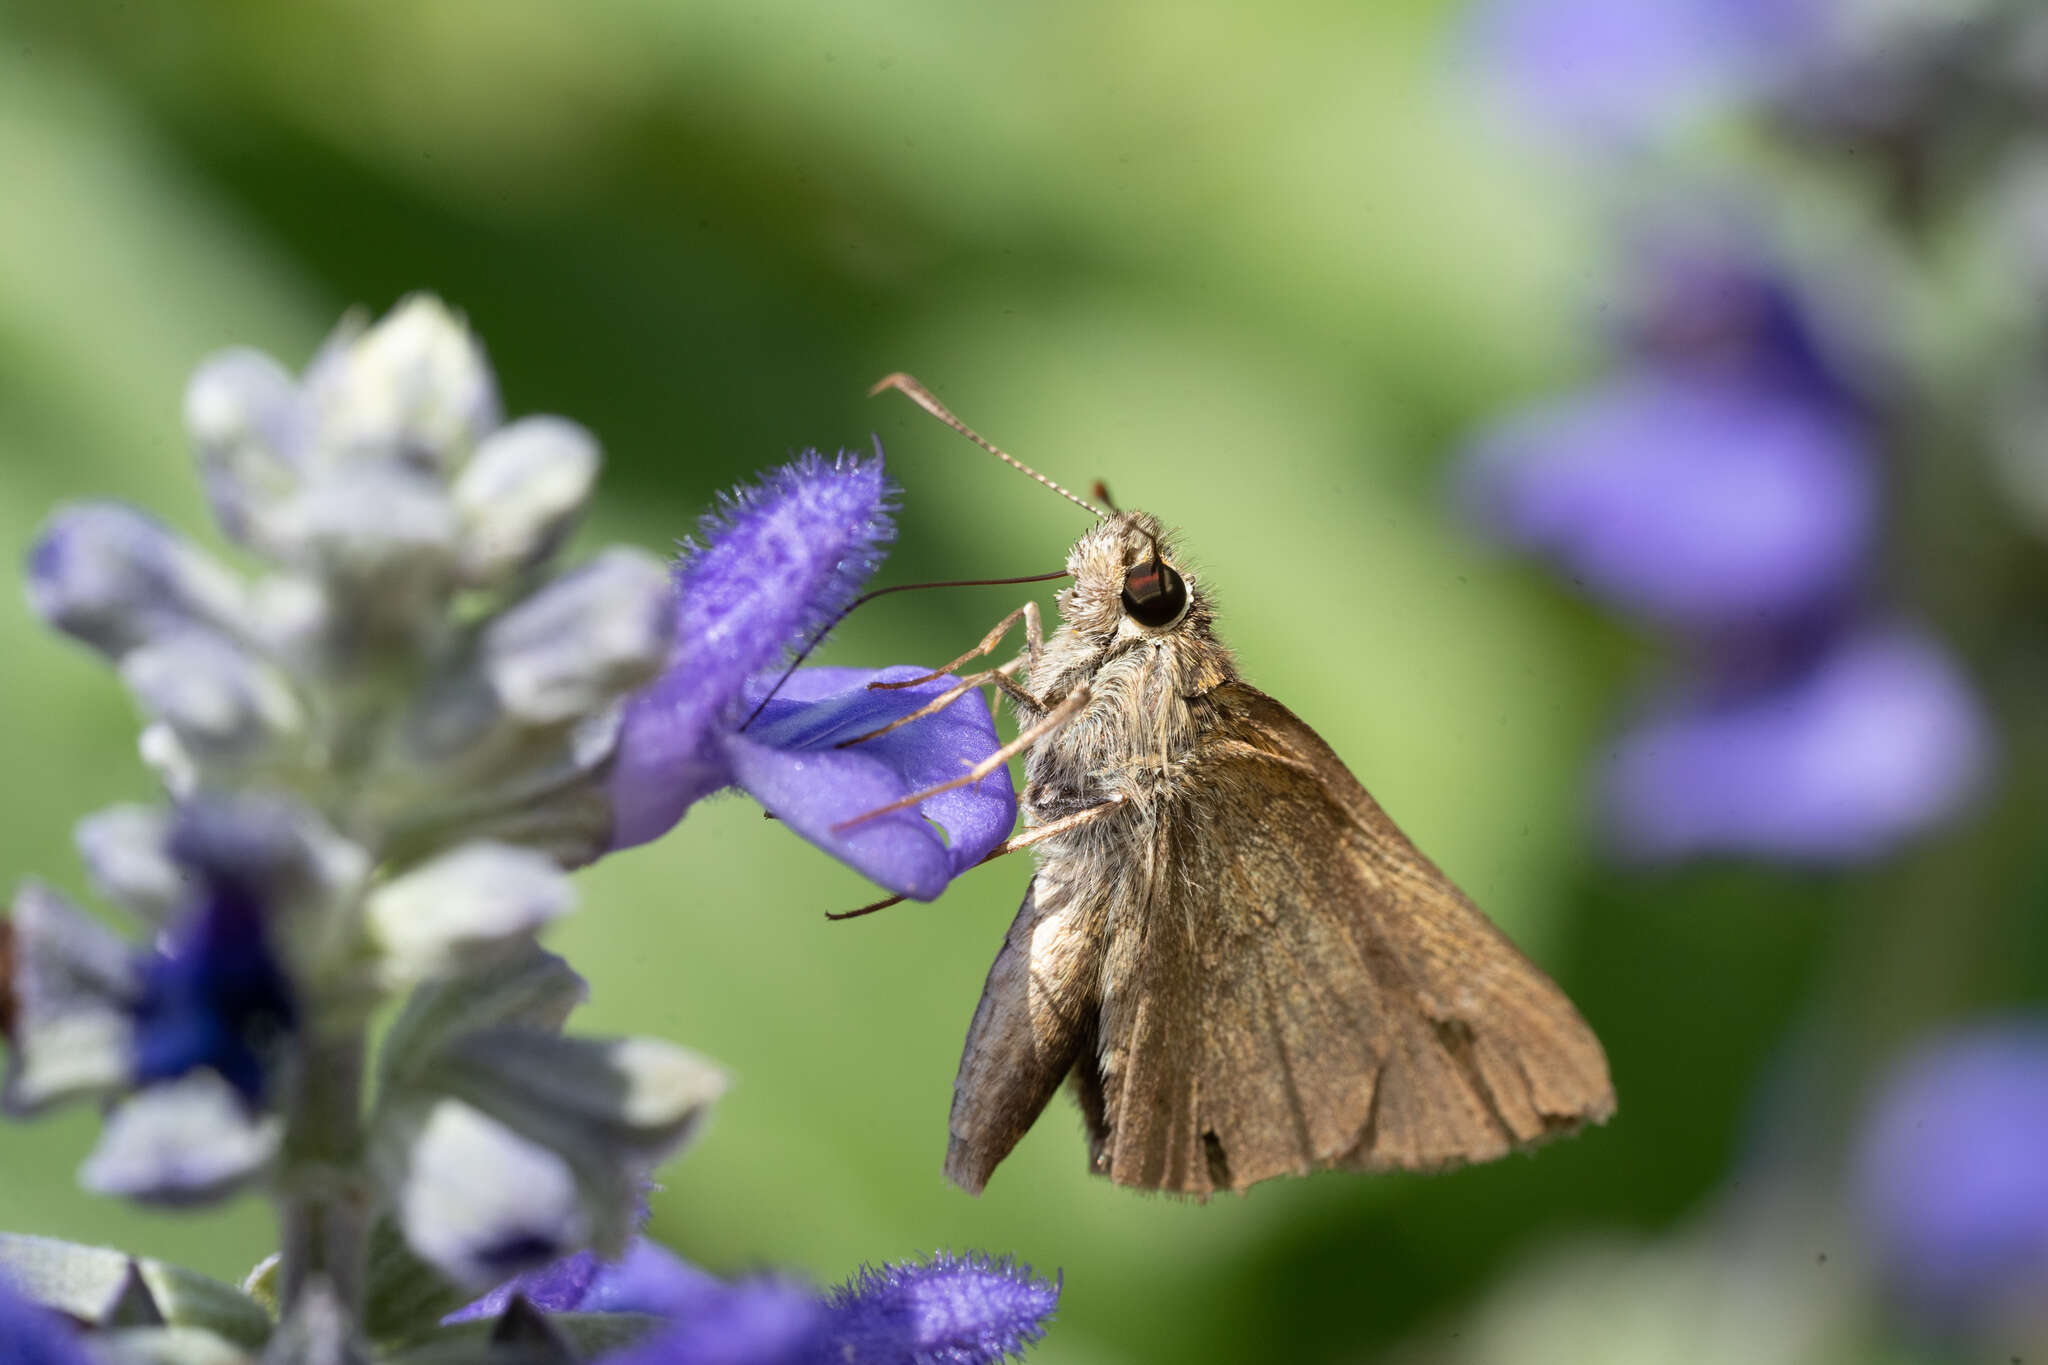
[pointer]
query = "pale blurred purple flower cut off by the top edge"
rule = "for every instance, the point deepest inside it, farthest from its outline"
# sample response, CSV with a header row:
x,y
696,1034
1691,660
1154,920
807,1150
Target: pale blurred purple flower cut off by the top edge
x,y
1619,73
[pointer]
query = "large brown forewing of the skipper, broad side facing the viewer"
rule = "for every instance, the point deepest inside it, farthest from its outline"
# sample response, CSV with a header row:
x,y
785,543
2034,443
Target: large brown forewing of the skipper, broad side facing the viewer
x,y
1297,987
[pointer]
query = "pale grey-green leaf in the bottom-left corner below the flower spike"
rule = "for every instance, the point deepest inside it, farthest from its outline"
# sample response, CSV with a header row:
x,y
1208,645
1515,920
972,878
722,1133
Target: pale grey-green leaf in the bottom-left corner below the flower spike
x,y
87,1280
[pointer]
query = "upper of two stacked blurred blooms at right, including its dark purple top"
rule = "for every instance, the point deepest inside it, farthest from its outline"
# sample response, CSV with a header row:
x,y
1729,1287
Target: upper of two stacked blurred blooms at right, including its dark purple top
x,y
1721,480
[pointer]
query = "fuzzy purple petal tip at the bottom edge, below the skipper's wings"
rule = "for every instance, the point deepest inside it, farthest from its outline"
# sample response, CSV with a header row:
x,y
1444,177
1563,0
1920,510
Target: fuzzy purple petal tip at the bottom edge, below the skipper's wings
x,y
949,1311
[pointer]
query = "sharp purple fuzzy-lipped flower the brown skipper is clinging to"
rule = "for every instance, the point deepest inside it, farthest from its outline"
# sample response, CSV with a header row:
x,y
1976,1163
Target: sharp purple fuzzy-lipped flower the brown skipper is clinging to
x,y
777,564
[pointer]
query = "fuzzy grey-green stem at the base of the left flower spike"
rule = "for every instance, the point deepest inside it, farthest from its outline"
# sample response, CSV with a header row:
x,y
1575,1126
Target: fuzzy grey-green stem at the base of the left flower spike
x,y
327,1194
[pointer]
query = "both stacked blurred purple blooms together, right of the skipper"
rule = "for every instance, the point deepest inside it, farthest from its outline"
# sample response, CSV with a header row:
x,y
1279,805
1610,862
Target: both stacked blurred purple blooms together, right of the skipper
x,y
1725,486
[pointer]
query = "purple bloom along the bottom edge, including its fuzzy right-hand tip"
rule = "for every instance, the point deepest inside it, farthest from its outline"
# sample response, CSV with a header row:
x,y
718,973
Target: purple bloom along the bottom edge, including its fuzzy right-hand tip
x,y
947,1311
